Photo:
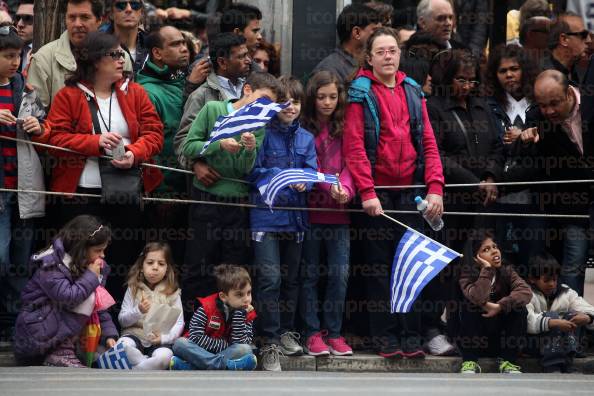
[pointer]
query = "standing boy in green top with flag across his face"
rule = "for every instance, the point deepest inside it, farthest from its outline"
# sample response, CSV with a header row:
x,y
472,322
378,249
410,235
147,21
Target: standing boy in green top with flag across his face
x,y
218,233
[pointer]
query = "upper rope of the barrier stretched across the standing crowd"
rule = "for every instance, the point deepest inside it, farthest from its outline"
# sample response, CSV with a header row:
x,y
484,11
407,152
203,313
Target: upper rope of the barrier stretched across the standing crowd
x,y
188,172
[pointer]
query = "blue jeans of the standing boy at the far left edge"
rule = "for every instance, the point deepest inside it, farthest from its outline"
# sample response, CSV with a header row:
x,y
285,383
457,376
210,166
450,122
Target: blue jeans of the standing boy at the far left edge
x,y
16,242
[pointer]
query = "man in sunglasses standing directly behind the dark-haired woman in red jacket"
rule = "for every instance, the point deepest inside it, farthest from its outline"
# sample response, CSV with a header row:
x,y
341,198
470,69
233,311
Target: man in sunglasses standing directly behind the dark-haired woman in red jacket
x,y
126,16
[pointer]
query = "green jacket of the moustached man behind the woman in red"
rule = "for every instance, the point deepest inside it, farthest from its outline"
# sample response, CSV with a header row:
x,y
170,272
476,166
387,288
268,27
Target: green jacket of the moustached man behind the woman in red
x,y
165,90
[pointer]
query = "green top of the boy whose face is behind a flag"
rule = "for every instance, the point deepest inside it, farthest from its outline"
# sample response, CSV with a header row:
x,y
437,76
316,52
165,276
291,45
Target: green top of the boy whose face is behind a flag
x,y
235,166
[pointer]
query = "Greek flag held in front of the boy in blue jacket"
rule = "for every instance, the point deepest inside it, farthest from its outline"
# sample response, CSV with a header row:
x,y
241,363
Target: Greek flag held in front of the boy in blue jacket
x,y
269,189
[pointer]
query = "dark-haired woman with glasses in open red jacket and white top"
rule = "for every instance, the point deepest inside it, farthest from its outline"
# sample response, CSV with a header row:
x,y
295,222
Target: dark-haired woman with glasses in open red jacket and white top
x,y
126,118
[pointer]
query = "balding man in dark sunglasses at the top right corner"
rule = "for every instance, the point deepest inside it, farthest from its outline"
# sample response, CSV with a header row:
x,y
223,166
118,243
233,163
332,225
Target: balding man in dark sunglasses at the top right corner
x,y
568,41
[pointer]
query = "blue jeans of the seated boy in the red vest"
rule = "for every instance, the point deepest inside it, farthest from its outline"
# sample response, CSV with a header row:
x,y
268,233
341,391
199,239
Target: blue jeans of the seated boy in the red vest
x,y
201,359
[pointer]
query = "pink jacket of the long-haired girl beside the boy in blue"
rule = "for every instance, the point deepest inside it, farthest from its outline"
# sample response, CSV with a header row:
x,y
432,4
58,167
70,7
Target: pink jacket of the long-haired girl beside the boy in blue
x,y
329,153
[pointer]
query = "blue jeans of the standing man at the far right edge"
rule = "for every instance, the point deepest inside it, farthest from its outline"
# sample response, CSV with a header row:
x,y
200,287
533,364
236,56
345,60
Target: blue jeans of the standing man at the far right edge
x,y
575,250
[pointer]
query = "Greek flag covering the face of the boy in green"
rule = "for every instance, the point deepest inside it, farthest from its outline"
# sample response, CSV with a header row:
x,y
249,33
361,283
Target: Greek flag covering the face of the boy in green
x,y
248,118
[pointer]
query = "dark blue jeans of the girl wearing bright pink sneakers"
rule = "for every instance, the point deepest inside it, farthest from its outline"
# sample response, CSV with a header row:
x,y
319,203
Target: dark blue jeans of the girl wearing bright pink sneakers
x,y
335,238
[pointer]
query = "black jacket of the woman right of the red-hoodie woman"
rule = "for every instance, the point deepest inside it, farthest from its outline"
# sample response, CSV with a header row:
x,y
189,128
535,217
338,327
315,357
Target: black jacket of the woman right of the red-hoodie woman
x,y
466,159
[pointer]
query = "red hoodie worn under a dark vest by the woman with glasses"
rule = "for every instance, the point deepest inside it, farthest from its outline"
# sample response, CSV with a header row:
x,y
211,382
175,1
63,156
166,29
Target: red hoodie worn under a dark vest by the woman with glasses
x,y
396,154
